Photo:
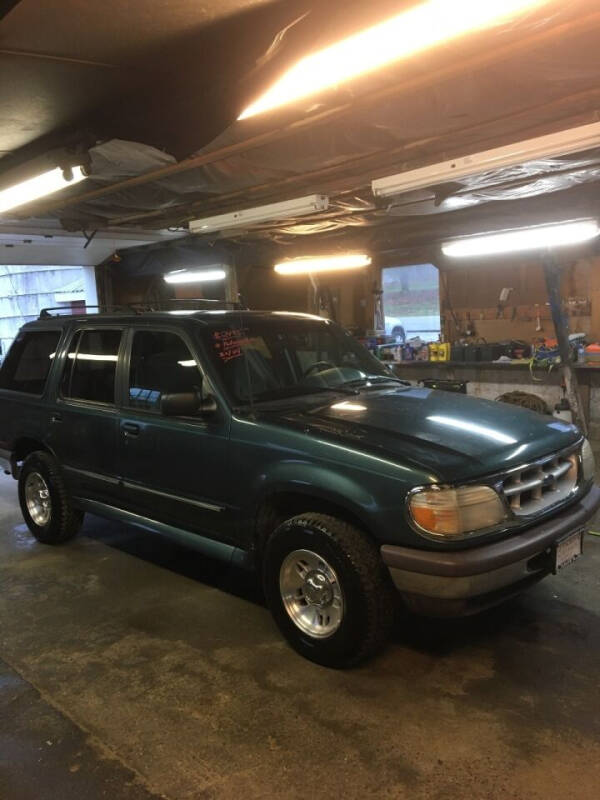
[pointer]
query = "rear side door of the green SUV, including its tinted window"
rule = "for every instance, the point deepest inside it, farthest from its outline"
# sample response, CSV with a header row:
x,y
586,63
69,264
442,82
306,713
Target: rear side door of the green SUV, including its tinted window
x,y
83,428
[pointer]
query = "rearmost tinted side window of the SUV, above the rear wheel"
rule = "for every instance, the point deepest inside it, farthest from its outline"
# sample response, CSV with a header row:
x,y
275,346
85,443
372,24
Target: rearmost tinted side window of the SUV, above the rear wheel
x,y
28,362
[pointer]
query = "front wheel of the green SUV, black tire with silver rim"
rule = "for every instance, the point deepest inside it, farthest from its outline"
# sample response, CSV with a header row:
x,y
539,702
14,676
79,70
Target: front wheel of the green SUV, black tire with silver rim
x,y
328,590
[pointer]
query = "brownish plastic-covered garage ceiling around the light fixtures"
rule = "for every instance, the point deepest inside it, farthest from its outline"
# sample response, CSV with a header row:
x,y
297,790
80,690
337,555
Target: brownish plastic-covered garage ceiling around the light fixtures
x,y
154,91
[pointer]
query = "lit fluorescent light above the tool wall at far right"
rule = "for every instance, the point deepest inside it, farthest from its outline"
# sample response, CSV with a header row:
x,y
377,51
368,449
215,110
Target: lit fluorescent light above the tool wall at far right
x,y
536,238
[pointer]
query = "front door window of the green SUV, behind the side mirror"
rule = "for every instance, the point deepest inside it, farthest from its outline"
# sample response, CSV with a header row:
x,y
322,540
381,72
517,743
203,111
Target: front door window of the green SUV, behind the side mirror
x,y
161,363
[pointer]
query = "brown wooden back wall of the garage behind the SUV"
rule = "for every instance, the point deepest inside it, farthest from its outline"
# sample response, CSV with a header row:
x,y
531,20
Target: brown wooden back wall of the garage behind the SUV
x,y
473,290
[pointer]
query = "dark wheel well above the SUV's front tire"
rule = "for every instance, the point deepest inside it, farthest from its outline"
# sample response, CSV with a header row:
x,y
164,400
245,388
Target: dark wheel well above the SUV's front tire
x,y
281,506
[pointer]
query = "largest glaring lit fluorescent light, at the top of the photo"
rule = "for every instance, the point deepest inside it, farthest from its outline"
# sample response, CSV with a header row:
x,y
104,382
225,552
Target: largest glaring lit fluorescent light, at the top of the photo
x,y
424,26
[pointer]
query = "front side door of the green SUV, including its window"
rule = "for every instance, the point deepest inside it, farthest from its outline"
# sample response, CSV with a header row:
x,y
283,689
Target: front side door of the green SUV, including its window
x,y
174,468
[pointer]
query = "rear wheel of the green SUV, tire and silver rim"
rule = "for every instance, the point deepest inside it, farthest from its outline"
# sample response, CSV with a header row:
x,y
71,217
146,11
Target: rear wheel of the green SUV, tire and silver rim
x,y
45,503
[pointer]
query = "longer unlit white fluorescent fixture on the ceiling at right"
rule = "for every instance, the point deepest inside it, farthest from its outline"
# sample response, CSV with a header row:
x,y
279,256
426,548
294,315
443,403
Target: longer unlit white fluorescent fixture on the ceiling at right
x,y
573,140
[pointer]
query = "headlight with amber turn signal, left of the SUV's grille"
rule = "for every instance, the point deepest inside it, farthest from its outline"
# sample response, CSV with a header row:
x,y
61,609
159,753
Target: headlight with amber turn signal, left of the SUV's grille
x,y
456,513
